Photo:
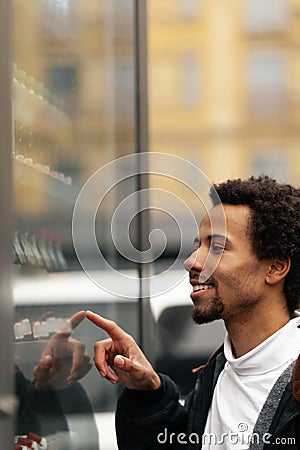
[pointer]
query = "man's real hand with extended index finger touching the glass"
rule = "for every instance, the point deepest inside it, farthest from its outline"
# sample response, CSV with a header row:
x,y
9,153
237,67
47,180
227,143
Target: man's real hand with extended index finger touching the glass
x,y
119,358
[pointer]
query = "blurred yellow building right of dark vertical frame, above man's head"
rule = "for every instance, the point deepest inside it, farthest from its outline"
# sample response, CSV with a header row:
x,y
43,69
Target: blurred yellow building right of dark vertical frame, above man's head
x,y
224,85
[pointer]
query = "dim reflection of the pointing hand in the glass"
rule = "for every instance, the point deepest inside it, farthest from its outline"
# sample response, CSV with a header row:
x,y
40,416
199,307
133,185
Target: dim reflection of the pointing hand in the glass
x,y
63,361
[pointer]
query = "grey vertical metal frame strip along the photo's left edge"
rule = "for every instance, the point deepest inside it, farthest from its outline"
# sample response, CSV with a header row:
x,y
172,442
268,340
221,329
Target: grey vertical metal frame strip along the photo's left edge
x,y
7,399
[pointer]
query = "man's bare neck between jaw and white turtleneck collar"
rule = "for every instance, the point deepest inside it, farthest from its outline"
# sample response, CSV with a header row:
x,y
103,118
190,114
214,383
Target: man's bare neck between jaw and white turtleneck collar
x,y
248,332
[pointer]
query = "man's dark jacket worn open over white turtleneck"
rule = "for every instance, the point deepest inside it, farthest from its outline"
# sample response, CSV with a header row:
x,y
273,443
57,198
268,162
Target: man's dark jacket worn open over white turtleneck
x,y
156,420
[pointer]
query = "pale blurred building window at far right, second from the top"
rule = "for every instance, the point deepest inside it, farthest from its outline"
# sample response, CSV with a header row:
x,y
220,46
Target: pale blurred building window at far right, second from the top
x,y
267,84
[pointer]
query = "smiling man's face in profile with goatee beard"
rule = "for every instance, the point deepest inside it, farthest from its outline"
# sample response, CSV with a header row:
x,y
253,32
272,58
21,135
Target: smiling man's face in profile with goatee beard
x,y
238,280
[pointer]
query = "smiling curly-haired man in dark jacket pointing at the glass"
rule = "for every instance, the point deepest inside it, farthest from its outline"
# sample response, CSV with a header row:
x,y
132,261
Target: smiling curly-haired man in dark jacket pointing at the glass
x,y
248,394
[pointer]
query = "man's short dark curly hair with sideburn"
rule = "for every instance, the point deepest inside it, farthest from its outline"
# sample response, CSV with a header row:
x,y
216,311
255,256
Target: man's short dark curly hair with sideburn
x,y
274,227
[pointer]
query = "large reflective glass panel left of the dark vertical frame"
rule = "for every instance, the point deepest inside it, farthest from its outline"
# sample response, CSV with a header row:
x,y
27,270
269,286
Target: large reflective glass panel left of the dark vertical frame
x,y
73,102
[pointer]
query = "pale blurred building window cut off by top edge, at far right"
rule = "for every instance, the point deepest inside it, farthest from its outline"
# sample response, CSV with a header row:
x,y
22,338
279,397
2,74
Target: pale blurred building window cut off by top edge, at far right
x,y
266,15
